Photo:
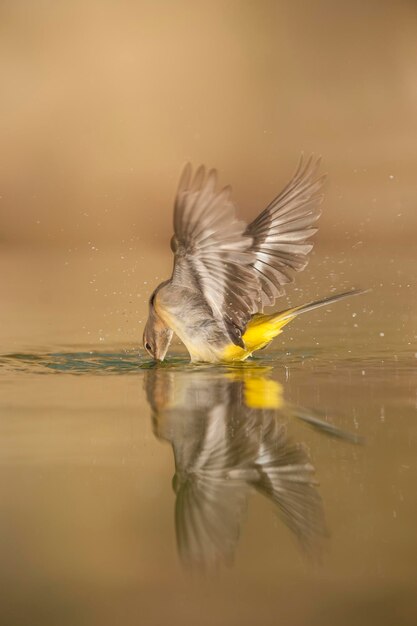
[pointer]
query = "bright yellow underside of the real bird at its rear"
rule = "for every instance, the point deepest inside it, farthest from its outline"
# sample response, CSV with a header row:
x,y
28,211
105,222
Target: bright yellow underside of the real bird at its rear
x,y
261,330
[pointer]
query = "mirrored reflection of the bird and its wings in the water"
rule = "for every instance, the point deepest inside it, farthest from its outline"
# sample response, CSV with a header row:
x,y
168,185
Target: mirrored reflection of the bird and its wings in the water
x,y
228,433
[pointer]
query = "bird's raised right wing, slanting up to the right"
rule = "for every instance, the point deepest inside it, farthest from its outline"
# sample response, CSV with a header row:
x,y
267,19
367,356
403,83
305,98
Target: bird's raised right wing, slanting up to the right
x,y
281,231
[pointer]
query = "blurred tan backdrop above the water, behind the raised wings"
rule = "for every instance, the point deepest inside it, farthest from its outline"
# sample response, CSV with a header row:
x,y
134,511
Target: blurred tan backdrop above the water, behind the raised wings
x,y
103,102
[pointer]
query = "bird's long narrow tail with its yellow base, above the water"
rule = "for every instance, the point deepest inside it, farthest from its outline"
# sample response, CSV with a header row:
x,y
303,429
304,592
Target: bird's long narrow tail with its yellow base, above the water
x,y
263,328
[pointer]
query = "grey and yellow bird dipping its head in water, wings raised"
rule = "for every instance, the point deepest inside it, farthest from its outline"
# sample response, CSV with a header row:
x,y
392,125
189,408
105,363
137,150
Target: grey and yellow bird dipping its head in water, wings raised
x,y
226,271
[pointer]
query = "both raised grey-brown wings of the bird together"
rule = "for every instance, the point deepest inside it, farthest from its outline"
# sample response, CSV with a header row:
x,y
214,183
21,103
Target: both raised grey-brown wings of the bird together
x,y
240,268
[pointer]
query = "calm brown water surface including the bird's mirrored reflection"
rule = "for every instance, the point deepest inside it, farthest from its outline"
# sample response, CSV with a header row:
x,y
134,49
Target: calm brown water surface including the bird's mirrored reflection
x,y
281,490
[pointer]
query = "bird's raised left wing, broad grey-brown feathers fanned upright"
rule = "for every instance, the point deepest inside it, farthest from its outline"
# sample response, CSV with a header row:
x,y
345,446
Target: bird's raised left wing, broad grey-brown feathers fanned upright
x,y
213,251
